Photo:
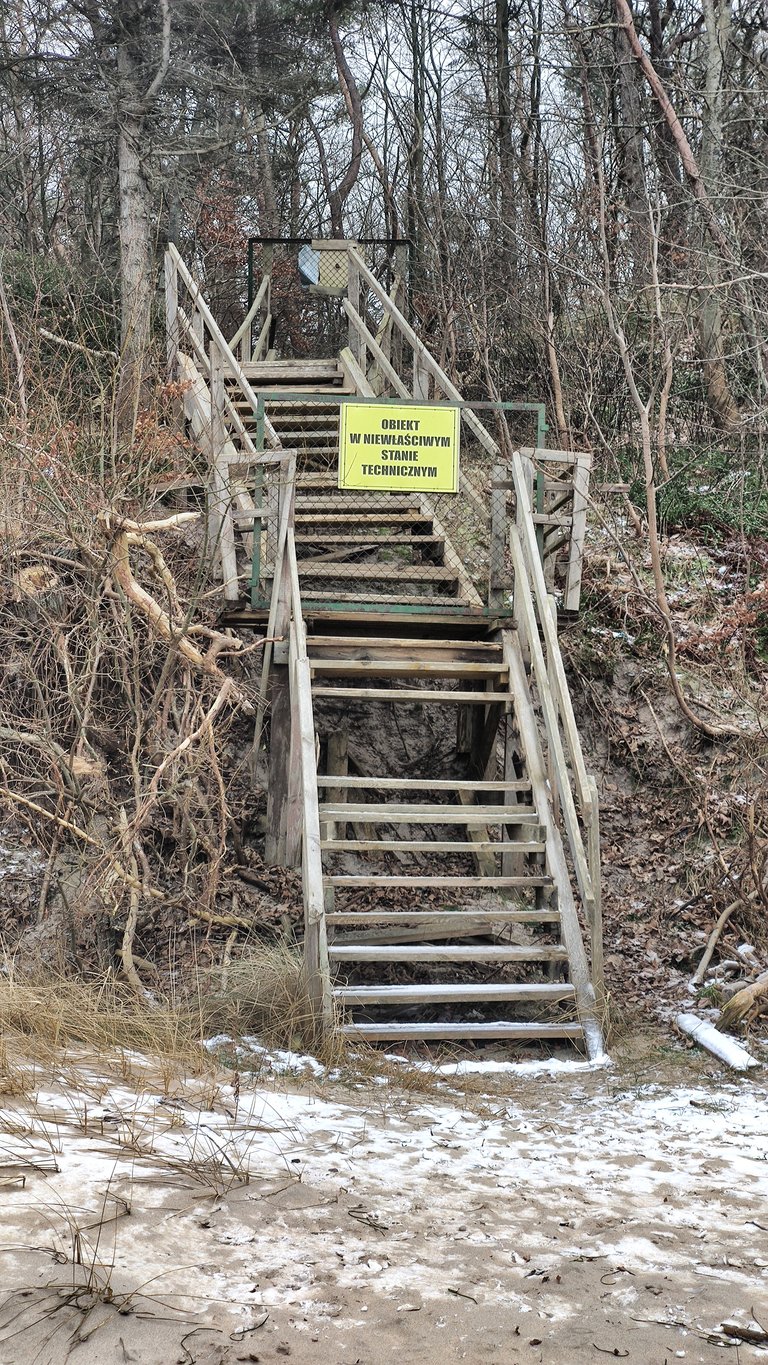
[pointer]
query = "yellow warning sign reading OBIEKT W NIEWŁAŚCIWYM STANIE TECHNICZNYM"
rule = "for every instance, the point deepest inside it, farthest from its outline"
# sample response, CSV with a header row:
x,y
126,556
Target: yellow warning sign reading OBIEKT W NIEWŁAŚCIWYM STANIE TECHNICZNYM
x,y
398,448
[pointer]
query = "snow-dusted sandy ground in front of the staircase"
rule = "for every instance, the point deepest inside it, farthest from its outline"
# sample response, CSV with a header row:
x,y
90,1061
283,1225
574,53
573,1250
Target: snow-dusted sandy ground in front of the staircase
x,y
570,1218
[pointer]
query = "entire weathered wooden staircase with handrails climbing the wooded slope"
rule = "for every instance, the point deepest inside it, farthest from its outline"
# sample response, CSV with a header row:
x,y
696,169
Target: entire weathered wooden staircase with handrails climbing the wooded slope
x,y
458,902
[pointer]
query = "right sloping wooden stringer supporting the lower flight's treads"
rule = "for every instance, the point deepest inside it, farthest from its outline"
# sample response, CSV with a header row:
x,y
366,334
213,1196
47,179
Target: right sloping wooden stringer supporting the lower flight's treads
x,y
556,861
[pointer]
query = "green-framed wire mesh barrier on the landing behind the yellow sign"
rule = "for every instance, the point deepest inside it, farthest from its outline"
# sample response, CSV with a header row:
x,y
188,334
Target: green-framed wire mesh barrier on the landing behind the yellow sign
x,y
437,551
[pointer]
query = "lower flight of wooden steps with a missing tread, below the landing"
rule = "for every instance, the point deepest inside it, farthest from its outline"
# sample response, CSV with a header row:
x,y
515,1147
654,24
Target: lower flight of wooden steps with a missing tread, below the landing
x,y
475,948
